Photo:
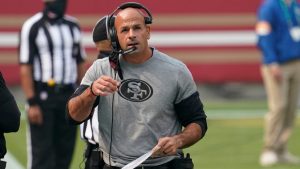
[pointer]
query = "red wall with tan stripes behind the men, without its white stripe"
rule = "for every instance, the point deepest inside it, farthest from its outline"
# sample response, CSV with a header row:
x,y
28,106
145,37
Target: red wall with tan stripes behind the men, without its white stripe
x,y
208,64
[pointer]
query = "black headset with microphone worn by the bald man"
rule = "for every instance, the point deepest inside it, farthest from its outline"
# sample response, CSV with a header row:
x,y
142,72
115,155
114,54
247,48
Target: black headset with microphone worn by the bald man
x,y
111,25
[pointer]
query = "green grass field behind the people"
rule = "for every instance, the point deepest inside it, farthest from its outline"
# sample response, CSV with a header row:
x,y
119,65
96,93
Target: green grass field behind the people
x,y
230,143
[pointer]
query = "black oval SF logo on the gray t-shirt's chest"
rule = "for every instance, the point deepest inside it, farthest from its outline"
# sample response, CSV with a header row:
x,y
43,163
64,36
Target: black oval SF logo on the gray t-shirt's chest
x,y
135,90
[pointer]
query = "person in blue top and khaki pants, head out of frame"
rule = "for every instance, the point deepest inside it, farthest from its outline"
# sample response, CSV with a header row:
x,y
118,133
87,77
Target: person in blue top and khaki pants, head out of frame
x,y
278,30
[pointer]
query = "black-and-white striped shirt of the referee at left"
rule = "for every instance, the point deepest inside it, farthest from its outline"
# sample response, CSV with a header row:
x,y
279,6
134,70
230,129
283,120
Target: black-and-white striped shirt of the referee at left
x,y
53,49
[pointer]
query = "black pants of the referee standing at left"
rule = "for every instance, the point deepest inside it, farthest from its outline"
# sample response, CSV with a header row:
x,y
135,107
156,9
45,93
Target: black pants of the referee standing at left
x,y
52,143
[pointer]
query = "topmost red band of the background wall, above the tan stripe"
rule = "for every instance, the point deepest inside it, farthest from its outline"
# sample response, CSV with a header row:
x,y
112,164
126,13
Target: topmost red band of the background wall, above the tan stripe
x,y
155,6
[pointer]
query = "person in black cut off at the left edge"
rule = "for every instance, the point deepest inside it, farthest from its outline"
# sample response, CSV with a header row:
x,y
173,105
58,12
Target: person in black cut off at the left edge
x,y
9,117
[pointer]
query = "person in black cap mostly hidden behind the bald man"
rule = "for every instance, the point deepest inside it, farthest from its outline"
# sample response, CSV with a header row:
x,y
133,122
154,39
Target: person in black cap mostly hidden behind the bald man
x,y
89,128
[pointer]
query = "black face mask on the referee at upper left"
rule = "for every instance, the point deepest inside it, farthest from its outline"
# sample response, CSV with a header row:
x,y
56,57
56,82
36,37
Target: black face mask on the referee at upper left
x,y
58,7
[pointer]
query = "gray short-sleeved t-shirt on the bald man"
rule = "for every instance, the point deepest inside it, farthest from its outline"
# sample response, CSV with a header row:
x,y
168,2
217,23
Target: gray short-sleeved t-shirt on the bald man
x,y
142,111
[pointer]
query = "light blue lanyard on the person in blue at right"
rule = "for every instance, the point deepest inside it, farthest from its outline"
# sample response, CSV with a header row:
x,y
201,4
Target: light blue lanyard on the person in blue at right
x,y
287,13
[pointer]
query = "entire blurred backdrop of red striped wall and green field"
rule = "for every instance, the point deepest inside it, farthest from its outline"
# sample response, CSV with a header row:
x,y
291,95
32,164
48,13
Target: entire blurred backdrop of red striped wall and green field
x,y
216,40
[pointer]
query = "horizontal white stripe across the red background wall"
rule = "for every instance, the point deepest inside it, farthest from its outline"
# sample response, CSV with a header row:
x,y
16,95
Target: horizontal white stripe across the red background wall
x,y
167,39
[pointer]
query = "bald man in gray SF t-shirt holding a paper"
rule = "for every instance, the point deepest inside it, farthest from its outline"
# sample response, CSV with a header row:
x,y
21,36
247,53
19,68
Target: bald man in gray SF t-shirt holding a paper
x,y
147,109
